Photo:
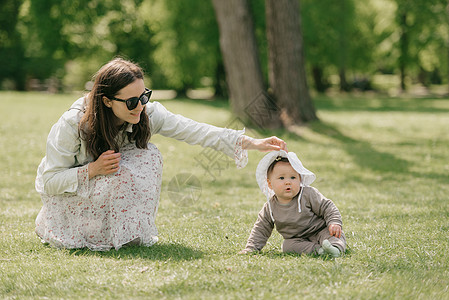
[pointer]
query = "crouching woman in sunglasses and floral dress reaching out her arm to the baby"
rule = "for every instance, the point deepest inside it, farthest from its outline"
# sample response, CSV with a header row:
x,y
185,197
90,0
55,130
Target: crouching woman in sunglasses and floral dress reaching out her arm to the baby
x,y
100,180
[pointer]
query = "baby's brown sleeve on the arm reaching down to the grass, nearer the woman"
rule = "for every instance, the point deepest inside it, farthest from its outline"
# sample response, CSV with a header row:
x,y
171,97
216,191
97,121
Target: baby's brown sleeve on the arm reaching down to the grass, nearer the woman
x,y
261,231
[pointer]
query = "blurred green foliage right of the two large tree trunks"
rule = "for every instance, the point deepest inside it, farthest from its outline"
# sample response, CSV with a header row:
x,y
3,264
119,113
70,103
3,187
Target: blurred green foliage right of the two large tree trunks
x,y
365,37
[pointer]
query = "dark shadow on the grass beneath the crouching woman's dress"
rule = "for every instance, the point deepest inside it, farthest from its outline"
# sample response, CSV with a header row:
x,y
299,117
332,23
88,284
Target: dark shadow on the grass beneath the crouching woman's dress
x,y
159,251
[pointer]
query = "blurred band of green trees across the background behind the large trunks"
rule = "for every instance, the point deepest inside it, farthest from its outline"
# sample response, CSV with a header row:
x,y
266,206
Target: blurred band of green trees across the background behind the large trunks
x,y
388,46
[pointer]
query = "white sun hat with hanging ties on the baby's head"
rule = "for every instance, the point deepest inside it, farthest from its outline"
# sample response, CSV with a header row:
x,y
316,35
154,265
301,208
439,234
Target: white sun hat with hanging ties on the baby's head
x,y
307,177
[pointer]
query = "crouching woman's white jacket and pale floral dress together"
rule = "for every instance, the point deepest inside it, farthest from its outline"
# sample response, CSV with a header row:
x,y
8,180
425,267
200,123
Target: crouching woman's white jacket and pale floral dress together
x,y
114,210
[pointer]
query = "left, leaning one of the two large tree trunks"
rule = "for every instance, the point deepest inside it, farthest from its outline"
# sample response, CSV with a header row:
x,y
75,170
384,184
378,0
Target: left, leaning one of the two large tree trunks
x,y
242,66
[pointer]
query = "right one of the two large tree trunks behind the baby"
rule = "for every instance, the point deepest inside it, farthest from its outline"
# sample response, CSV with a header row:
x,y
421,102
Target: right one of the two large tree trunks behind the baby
x,y
286,65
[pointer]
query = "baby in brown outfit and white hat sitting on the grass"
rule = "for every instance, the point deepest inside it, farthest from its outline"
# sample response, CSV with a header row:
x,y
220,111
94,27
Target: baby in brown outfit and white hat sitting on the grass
x,y
309,222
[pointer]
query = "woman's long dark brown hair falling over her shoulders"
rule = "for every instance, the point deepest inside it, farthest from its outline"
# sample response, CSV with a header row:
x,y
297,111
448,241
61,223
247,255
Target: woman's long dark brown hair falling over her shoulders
x,y
97,126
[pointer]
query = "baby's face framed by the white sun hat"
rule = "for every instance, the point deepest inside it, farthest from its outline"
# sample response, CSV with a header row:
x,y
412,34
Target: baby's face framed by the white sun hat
x,y
284,181
